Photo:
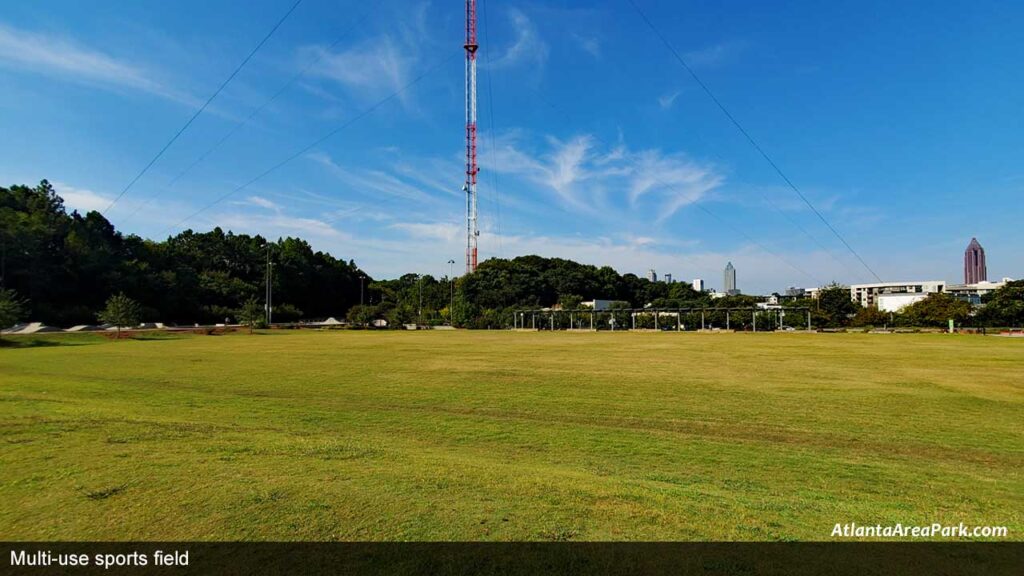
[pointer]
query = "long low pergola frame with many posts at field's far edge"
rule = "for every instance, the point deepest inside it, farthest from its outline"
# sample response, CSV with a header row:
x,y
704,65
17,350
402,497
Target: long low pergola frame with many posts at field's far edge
x,y
523,318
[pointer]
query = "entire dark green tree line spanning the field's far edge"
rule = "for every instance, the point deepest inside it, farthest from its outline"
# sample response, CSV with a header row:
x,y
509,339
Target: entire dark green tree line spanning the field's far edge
x,y
63,269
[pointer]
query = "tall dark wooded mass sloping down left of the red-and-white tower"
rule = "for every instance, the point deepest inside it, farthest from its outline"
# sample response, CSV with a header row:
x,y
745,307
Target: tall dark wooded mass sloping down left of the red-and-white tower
x,y
64,268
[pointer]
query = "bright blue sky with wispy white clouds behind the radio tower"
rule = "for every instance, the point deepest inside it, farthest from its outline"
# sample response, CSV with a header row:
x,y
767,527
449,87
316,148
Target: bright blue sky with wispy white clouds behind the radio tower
x,y
902,122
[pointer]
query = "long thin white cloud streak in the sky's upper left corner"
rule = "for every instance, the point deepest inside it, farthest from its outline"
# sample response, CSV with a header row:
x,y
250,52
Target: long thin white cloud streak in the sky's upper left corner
x,y
63,58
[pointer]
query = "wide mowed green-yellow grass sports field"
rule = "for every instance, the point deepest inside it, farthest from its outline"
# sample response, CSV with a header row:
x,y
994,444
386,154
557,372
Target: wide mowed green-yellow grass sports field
x,y
501,436
